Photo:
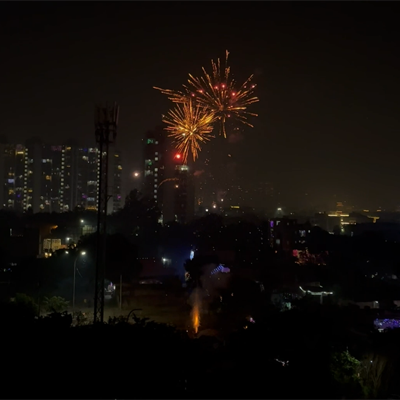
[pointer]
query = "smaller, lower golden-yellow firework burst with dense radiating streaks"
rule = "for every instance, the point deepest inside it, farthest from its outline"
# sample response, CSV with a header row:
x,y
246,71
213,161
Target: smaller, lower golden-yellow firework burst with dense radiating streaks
x,y
190,126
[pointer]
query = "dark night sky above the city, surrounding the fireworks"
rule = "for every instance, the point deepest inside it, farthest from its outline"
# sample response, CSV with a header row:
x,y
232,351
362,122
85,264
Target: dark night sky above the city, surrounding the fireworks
x,y
327,76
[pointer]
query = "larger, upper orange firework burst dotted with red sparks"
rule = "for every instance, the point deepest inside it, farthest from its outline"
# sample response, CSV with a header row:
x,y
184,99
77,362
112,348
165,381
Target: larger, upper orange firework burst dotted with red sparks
x,y
218,93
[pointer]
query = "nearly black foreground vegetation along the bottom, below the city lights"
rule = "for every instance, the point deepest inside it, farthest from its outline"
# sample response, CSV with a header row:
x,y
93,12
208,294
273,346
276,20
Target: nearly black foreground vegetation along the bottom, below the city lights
x,y
294,354
